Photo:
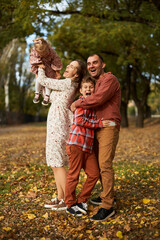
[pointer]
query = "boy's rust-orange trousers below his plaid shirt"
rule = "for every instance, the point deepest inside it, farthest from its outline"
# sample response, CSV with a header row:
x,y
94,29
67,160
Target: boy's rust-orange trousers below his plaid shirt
x,y
79,159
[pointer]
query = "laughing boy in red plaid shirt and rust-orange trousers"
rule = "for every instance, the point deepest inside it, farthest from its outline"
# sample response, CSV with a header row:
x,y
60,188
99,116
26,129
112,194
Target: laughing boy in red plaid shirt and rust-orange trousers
x,y
80,151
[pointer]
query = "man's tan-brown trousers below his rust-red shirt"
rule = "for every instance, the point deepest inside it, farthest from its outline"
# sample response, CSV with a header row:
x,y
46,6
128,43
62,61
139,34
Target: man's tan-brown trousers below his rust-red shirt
x,y
107,140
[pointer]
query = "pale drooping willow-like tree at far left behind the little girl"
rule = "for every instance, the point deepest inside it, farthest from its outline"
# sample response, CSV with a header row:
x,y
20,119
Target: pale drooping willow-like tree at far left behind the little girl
x,y
15,79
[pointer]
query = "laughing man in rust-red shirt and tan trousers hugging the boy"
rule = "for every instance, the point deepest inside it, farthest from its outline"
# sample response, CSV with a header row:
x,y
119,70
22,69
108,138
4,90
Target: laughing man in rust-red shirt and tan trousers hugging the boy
x,y
106,101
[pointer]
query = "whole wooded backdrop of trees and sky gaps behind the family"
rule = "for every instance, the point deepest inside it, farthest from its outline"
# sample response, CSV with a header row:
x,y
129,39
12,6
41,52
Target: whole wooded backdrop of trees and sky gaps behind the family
x,y
126,33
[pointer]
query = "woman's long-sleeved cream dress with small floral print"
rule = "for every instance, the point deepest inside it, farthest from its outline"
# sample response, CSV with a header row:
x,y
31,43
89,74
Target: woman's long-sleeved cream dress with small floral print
x,y
59,118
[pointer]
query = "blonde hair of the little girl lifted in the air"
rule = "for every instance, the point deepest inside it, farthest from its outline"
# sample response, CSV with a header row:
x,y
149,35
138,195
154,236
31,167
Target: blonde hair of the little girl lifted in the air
x,y
41,46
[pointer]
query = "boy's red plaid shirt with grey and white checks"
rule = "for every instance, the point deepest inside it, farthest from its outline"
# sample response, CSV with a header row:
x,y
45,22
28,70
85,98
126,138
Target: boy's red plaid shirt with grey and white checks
x,y
82,129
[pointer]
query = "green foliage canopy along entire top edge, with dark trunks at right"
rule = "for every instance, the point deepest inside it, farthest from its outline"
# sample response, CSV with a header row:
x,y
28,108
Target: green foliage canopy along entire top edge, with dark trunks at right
x,y
126,33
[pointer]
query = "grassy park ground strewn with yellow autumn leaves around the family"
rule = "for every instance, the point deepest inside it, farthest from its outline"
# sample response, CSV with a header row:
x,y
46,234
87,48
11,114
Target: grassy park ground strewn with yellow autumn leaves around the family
x,y
26,184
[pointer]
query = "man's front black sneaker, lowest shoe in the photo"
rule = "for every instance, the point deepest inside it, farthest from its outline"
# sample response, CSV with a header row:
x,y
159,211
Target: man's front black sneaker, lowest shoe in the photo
x,y
103,214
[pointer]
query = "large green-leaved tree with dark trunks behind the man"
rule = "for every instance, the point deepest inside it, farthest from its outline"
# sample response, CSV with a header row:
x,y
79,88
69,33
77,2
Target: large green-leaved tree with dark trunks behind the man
x,y
126,34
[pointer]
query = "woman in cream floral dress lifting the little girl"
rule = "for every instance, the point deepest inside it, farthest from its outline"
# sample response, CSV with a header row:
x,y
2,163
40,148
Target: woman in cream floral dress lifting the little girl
x,y
59,122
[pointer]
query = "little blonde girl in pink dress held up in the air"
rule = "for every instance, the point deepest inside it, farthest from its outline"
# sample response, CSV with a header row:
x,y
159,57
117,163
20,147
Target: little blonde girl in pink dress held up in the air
x,y
45,56
